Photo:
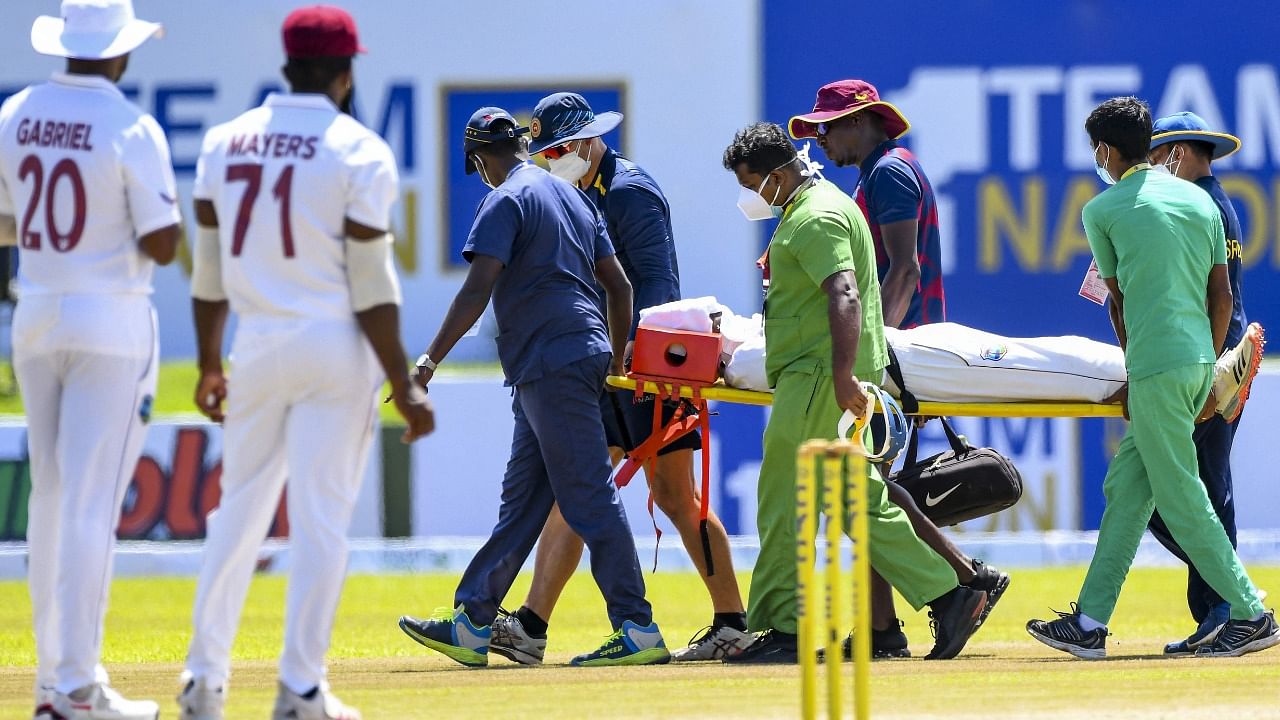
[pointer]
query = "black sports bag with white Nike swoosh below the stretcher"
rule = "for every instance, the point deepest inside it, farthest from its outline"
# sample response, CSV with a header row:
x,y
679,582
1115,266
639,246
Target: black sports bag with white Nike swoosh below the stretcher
x,y
961,485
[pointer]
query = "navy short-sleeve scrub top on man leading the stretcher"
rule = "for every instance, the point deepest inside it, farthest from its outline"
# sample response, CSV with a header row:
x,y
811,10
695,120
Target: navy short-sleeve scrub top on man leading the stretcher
x,y
548,307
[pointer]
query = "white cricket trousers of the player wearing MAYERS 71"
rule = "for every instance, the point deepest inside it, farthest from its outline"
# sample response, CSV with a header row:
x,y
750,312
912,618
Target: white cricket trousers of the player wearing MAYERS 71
x,y
300,405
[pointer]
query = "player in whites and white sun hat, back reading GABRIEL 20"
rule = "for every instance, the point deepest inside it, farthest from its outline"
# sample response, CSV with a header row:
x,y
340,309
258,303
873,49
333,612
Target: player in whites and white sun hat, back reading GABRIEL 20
x,y
88,194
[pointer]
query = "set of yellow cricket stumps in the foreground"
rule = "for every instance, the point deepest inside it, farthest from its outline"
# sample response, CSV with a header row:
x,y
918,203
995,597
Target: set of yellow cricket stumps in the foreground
x,y
844,493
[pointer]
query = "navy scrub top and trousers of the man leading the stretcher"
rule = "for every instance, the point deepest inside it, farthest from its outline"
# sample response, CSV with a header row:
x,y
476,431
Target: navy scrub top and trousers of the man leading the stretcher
x,y
555,350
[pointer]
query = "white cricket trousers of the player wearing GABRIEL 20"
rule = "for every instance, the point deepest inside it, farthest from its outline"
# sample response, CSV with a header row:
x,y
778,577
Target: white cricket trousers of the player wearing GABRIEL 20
x,y
88,370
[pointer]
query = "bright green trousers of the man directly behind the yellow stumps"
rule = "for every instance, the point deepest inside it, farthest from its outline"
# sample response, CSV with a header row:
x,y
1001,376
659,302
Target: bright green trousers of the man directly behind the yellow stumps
x,y
804,408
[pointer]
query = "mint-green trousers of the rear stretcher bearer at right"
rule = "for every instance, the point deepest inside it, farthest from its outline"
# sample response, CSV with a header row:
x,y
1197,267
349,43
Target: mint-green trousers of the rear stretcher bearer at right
x,y
1155,470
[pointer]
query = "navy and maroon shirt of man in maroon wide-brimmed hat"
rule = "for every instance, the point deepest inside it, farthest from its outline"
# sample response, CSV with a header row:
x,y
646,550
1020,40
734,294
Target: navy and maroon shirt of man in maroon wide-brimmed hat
x,y
893,189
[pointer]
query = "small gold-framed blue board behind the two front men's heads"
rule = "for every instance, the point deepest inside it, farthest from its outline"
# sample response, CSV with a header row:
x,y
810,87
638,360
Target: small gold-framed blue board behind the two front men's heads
x,y
461,194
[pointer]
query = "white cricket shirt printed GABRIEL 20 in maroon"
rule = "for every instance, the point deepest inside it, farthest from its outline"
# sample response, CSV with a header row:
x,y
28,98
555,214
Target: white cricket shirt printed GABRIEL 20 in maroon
x,y
85,174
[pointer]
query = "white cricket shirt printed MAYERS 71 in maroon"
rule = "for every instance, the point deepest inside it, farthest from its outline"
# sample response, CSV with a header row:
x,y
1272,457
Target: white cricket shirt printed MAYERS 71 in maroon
x,y
284,177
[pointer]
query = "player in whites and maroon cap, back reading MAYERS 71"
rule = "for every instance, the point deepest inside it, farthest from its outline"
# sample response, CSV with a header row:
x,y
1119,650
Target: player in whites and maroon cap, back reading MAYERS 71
x,y
294,203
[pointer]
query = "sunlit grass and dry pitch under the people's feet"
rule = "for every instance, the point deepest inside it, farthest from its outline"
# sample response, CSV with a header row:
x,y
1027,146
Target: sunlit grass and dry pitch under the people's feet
x,y
374,667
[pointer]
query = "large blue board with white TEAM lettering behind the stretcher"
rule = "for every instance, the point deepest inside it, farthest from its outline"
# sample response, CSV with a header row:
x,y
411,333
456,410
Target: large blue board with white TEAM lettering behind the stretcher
x,y
998,94
